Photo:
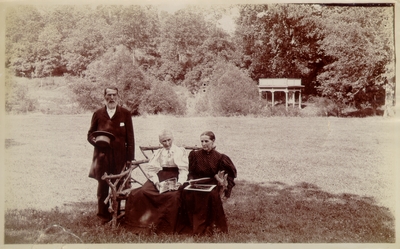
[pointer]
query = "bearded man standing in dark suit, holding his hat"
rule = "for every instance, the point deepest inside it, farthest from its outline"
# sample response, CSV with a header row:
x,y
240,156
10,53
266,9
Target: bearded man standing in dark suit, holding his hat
x,y
111,133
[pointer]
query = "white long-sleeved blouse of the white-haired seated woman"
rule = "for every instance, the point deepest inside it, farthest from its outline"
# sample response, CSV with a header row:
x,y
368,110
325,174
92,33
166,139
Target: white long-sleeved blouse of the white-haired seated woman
x,y
174,157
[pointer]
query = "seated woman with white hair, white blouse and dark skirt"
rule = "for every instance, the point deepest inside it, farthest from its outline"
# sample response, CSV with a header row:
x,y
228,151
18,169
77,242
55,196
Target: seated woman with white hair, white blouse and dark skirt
x,y
147,208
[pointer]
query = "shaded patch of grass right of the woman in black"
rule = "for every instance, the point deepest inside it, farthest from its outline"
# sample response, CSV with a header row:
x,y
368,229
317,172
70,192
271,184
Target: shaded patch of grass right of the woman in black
x,y
278,213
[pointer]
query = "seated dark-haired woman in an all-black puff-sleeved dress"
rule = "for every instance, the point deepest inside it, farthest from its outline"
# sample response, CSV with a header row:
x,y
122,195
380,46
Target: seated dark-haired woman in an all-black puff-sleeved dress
x,y
203,212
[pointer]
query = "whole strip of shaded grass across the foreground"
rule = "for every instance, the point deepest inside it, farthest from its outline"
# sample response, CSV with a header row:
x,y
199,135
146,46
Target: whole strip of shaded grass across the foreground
x,y
271,212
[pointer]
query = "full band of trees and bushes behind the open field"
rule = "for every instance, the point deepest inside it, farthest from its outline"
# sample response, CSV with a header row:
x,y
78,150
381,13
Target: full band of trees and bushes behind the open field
x,y
344,53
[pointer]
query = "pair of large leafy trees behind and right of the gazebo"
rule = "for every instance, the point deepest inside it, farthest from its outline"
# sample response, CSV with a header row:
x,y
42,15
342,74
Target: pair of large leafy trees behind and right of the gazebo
x,y
345,53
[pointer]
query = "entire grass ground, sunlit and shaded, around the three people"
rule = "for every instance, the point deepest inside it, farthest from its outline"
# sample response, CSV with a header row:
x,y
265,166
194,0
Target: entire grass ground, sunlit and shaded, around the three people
x,y
300,180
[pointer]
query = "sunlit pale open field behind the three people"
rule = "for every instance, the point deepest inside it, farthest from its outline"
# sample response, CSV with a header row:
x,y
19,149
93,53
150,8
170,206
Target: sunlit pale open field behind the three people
x,y
47,159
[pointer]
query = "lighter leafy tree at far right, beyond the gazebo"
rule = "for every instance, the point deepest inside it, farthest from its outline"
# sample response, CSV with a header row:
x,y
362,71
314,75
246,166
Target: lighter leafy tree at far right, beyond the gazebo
x,y
360,45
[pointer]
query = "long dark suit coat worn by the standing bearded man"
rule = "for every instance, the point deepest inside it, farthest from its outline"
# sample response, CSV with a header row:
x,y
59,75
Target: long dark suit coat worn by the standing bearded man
x,y
112,160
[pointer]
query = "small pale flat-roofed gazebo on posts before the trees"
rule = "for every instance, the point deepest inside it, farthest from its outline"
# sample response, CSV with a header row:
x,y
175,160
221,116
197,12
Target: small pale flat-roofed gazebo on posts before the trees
x,y
288,86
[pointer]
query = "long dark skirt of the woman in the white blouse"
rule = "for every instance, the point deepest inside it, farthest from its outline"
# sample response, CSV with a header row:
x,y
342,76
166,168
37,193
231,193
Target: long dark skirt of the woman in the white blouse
x,y
146,208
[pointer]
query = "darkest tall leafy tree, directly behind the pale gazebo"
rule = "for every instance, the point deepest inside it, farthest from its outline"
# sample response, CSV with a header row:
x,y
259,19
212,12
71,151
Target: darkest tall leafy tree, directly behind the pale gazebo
x,y
280,41
